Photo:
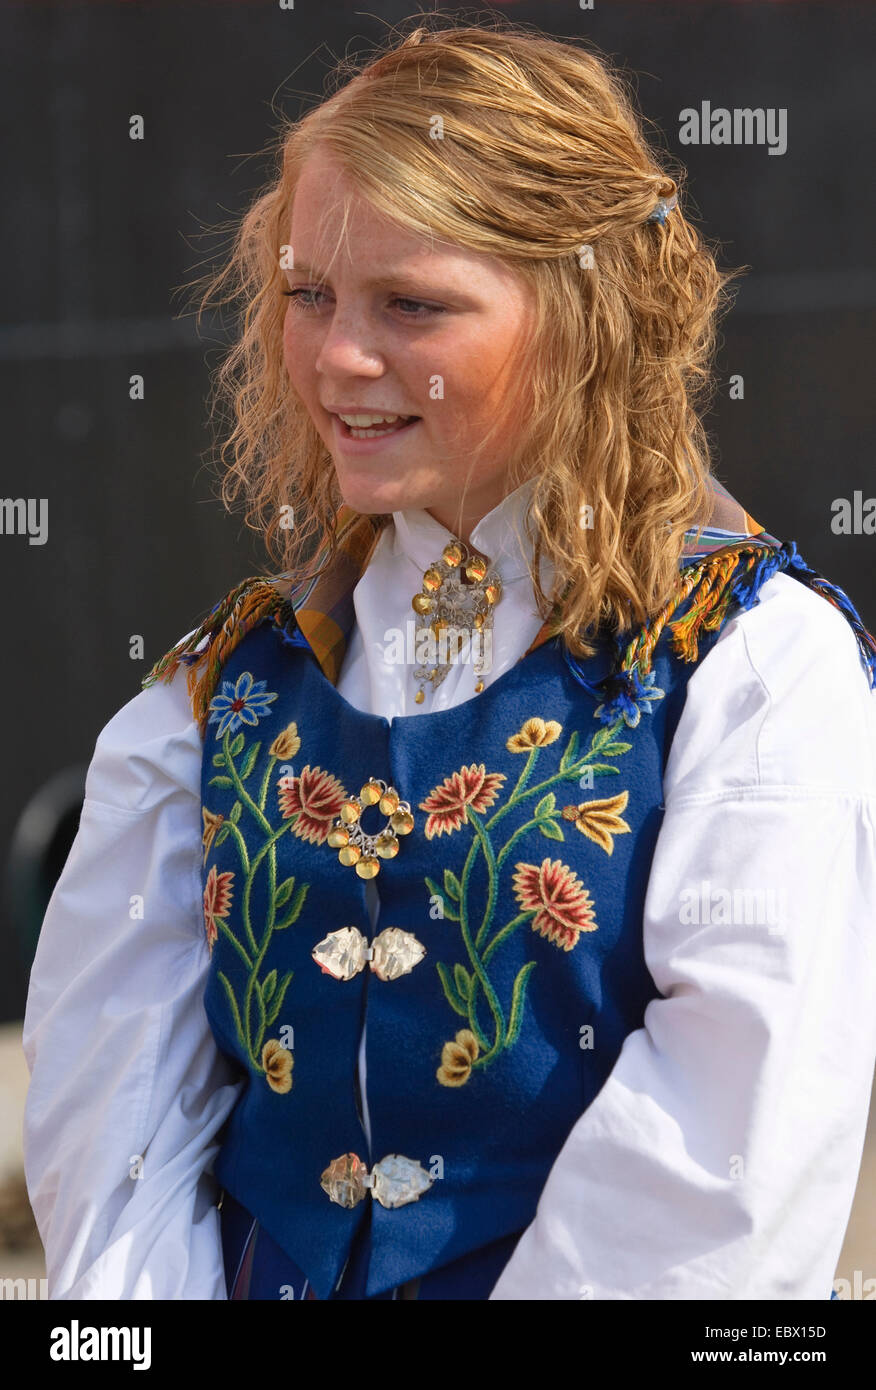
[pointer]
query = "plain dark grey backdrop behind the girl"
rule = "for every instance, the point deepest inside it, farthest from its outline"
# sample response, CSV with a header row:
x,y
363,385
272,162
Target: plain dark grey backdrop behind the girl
x,y
101,231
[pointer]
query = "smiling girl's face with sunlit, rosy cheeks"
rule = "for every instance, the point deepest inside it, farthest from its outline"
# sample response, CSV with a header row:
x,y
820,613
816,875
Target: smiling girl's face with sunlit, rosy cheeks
x,y
396,326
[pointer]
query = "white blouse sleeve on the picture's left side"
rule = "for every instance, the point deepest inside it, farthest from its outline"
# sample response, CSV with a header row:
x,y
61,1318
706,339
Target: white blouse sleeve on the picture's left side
x,y
129,1090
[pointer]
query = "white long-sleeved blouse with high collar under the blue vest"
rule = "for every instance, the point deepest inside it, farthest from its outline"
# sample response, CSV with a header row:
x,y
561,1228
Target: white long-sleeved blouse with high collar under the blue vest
x,y
721,1157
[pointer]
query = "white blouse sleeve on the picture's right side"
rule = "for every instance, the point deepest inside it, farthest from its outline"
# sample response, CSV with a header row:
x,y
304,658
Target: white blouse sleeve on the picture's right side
x,y
721,1157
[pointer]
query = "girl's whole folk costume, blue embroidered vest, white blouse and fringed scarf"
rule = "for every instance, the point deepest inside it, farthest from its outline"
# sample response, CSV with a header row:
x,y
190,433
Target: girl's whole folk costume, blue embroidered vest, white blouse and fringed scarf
x,y
455,1000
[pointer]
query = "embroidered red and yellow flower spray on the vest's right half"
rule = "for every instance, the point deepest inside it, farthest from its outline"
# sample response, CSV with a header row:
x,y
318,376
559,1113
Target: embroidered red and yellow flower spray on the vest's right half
x,y
550,896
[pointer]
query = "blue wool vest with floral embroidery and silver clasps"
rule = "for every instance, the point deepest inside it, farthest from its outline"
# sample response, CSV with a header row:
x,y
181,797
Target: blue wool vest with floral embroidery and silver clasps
x,y
521,889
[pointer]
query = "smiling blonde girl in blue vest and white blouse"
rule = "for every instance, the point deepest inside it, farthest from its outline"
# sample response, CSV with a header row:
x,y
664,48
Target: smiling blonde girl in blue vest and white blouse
x,y
487,910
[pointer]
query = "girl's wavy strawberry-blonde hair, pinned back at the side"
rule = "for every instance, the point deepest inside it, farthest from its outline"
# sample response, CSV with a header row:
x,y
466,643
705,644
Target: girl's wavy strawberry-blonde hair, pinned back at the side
x,y
543,158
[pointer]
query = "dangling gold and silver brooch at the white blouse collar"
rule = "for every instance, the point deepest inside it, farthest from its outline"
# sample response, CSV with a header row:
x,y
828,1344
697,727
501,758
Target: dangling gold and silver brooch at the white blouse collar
x,y
447,604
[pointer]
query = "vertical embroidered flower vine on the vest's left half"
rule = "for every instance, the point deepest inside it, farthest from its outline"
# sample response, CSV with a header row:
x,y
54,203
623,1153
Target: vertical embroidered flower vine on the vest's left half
x,y
265,993
